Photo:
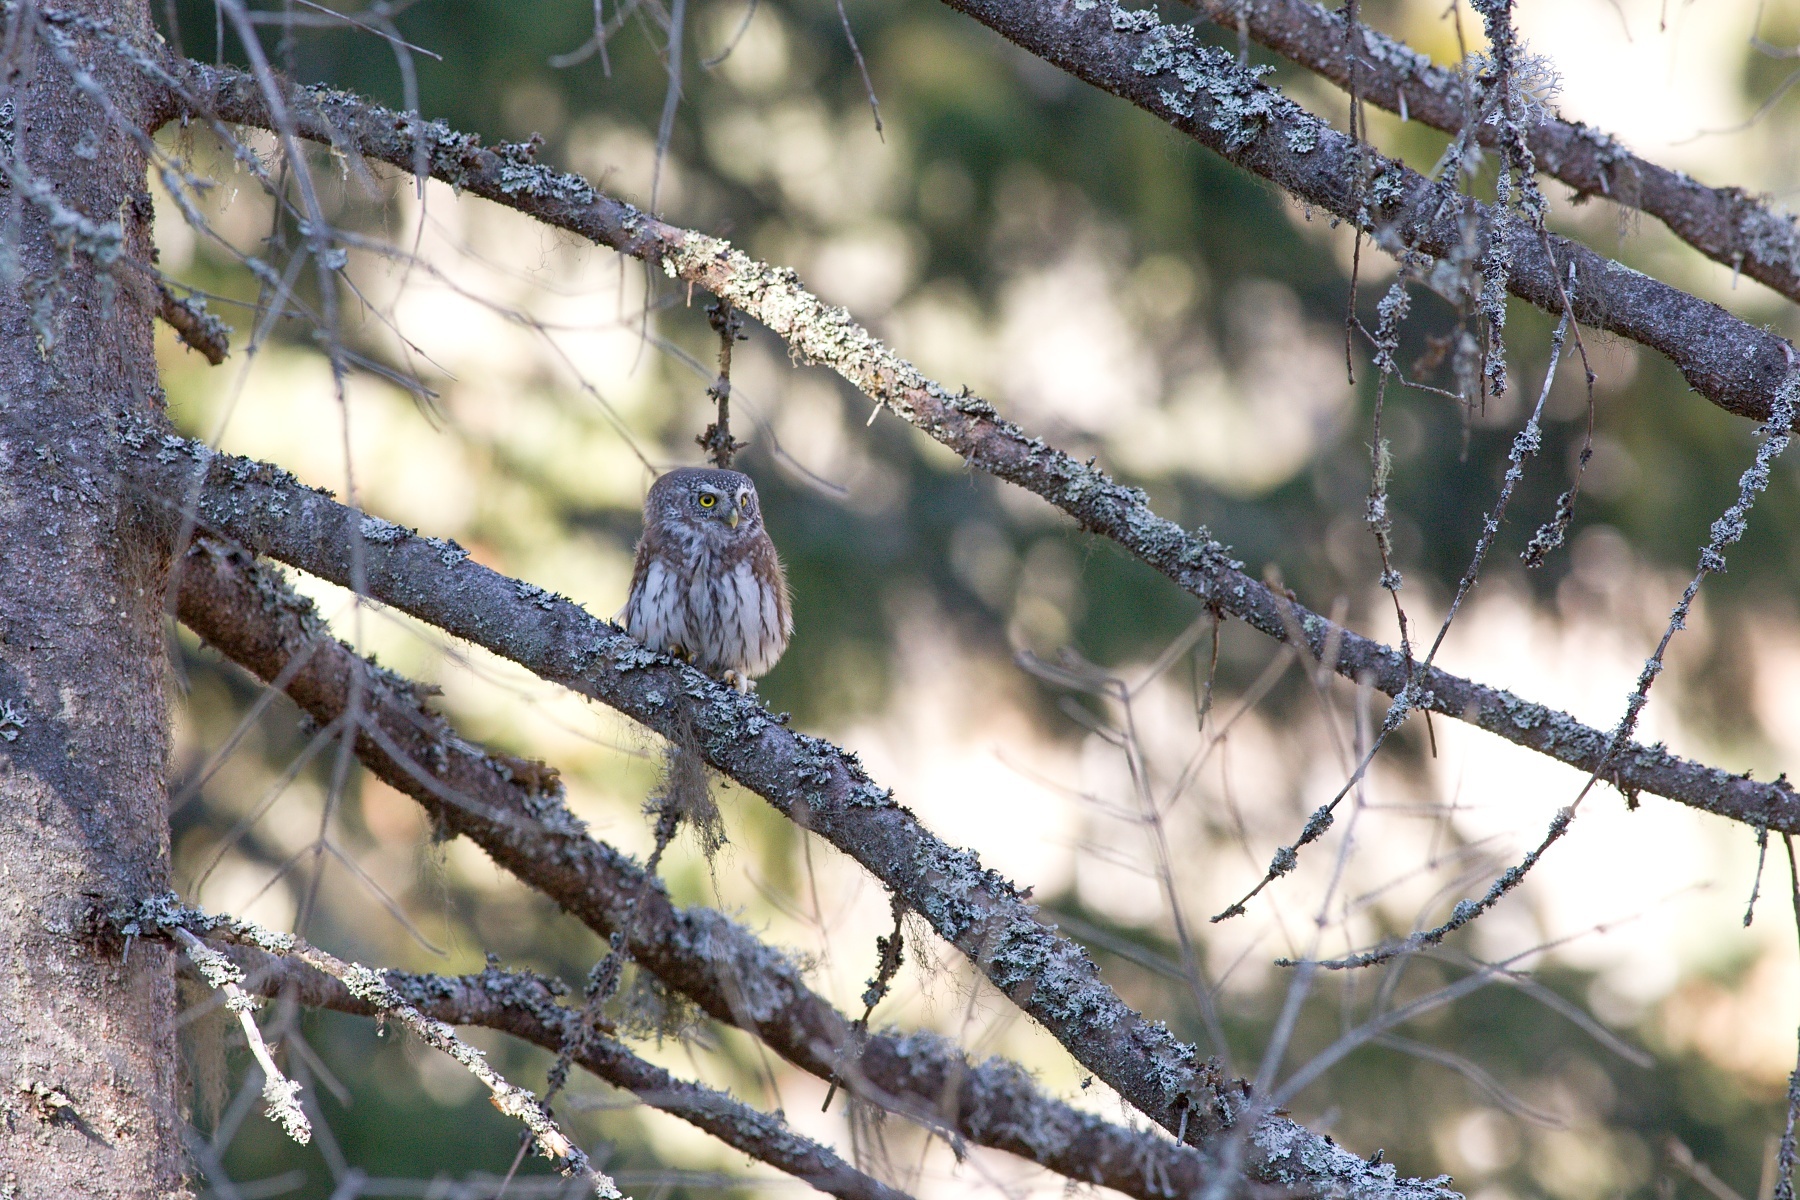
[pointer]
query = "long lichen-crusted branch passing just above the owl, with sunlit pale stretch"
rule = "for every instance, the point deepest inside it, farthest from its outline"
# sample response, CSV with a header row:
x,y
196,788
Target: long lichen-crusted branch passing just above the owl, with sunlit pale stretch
x,y
971,427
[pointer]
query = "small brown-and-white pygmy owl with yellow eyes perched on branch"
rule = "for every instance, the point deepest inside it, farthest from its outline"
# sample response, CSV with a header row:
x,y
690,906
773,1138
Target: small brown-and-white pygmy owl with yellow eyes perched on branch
x,y
708,586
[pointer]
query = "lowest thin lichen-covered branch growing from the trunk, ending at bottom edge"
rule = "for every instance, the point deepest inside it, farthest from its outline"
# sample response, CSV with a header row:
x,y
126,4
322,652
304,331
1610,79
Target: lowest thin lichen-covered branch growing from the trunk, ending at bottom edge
x,y
526,1007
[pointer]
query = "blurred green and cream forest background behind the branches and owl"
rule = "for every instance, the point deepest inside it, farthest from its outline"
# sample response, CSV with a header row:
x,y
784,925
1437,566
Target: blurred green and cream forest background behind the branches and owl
x,y
1126,296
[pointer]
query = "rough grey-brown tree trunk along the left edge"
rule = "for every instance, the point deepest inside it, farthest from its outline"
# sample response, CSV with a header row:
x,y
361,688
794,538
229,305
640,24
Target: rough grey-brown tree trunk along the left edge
x,y
89,1100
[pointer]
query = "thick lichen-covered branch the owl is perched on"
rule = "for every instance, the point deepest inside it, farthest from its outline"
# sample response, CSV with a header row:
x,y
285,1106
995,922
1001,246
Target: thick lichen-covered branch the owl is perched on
x,y
807,780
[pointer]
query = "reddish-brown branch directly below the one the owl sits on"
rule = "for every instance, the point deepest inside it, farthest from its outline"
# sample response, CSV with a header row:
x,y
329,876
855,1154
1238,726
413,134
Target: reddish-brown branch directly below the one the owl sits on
x,y
514,812
